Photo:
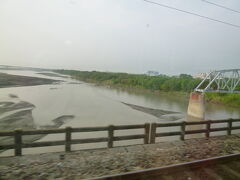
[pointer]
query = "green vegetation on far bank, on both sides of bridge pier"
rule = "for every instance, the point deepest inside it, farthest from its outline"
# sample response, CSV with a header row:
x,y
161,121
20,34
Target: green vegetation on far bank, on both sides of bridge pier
x,y
181,84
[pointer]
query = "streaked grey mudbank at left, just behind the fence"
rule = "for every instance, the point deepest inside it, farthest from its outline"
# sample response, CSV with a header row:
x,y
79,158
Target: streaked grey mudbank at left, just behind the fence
x,y
17,114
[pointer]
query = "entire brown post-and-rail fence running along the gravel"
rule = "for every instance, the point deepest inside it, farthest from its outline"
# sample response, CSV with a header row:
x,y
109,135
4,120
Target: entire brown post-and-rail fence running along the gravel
x,y
149,136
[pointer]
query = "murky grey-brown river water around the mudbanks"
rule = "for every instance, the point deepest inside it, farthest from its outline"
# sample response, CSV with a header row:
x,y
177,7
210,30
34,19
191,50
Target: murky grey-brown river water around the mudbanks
x,y
94,105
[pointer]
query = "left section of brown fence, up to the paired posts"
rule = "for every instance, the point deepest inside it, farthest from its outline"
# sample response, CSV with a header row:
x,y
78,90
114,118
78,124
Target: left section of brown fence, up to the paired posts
x,y
18,143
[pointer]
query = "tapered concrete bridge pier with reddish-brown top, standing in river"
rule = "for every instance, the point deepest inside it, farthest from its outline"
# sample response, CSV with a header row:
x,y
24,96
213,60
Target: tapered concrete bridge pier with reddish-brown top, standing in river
x,y
196,106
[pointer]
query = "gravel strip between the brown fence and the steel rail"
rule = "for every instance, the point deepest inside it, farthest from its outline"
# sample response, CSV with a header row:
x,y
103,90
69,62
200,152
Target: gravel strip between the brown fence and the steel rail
x,y
95,163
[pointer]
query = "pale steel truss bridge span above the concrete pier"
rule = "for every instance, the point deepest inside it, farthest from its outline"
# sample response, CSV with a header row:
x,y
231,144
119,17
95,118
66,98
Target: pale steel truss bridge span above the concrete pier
x,y
223,81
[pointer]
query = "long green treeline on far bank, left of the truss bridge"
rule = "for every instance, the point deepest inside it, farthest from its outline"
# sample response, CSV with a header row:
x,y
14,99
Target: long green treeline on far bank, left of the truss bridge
x,y
183,82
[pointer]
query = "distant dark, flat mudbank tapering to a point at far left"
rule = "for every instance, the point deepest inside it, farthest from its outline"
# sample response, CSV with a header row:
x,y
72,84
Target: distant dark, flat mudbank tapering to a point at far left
x,y
8,80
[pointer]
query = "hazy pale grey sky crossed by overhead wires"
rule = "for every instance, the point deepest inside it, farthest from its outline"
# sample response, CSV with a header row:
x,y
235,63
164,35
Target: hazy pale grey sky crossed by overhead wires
x,y
119,35
